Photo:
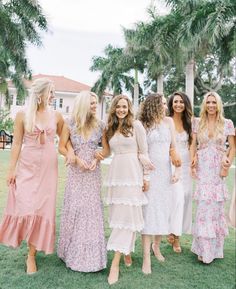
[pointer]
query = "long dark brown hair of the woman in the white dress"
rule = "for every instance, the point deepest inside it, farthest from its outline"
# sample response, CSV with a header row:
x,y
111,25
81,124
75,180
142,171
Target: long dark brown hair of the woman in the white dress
x,y
186,115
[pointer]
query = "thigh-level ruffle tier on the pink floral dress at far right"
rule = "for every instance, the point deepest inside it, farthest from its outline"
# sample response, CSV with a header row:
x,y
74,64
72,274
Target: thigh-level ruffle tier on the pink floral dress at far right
x,y
217,193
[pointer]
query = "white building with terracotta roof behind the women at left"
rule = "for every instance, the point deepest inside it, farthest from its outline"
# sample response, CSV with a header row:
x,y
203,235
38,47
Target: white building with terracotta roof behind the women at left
x,y
65,92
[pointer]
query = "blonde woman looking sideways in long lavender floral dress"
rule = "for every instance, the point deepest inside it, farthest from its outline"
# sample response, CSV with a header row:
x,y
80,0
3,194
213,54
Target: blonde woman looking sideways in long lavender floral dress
x,y
81,242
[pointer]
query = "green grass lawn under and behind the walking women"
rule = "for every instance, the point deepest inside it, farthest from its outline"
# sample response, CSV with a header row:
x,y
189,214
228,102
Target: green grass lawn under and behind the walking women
x,y
181,271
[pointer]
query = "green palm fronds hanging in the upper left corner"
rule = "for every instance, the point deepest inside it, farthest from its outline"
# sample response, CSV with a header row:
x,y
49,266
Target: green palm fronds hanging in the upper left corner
x,y
20,22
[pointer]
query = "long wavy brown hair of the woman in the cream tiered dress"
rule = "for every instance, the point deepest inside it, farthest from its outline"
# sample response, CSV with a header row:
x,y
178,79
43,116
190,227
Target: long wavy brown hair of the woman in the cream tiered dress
x,y
113,122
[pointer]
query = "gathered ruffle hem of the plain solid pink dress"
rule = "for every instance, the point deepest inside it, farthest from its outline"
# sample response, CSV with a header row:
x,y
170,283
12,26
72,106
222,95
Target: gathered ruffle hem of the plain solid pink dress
x,y
33,229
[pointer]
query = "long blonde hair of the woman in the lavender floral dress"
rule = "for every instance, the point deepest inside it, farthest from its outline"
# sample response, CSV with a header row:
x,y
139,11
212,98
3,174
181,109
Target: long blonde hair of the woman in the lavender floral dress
x,y
81,114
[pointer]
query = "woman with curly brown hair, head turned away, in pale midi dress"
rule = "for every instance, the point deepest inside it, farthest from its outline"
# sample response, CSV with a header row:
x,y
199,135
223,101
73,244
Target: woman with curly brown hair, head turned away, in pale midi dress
x,y
160,137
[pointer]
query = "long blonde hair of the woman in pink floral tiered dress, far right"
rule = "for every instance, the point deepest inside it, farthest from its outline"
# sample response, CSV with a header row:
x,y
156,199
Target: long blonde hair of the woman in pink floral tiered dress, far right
x,y
220,120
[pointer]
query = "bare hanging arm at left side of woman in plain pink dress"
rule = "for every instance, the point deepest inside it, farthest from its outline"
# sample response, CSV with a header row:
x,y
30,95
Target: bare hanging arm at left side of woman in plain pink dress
x,y
16,146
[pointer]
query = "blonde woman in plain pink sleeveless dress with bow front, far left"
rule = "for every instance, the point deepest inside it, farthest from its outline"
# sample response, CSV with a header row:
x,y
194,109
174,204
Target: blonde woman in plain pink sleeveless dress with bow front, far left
x,y
32,178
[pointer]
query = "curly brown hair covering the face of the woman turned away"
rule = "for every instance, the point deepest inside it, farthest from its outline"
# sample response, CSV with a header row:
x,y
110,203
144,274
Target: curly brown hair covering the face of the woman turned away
x,y
152,110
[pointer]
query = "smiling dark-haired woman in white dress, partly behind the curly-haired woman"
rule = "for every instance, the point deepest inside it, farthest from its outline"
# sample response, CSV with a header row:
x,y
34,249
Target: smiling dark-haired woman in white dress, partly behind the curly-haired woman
x,y
180,110
